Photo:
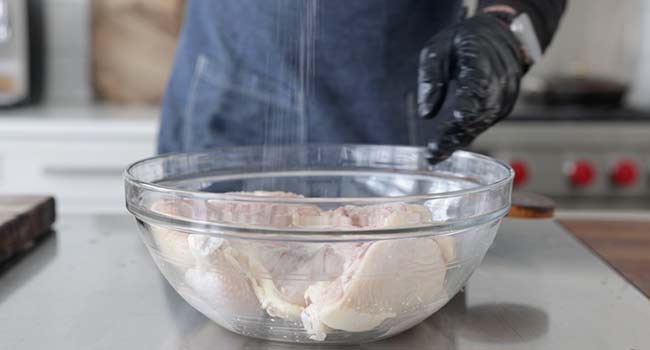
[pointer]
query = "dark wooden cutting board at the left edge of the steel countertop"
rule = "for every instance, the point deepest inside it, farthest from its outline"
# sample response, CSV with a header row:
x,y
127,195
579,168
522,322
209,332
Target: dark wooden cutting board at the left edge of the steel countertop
x,y
23,219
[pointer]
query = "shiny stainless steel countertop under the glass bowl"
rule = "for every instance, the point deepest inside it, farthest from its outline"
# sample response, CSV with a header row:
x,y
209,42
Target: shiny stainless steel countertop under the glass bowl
x,y
92,285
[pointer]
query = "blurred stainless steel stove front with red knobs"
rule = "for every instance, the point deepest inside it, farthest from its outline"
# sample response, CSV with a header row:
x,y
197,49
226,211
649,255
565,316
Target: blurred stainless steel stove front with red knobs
x,y
582,159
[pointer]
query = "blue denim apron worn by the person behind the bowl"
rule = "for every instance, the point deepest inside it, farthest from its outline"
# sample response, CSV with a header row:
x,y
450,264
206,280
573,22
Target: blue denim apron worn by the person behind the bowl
x,y
308,71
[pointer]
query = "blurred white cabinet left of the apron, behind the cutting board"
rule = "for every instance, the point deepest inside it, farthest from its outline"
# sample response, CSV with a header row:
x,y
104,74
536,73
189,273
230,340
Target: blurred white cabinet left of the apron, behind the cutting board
x,y
77,155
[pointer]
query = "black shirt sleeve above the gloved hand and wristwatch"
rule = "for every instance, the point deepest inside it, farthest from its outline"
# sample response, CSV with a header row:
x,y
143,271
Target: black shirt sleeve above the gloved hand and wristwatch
x,y
544,14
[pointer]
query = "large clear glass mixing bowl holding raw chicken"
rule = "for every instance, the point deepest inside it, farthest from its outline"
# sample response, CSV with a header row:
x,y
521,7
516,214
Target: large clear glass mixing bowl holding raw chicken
x,y
321,244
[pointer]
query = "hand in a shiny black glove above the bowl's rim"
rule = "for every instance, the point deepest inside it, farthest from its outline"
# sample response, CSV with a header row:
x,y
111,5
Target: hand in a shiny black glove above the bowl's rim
x,y
486,62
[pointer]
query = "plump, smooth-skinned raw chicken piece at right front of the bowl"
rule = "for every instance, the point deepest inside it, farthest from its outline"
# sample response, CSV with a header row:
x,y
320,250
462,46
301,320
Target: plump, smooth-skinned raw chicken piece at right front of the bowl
x,y
375,287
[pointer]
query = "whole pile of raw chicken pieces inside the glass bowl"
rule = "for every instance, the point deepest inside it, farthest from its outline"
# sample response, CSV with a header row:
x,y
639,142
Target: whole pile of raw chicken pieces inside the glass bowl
x,y
352,287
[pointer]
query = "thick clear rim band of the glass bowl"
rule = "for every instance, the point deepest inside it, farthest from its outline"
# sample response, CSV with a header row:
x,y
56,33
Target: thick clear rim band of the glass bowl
x,y
187,224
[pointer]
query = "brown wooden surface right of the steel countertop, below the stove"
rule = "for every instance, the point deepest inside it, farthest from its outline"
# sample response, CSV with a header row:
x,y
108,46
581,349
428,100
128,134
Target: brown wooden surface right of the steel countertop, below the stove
x,y
624,244
